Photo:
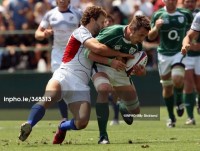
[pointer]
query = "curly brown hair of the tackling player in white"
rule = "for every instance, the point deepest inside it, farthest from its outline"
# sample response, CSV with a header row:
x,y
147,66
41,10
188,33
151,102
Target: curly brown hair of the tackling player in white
x,y
92,12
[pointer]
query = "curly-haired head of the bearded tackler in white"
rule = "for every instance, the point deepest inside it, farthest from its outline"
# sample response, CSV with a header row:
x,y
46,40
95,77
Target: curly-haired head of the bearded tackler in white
x,y
94,16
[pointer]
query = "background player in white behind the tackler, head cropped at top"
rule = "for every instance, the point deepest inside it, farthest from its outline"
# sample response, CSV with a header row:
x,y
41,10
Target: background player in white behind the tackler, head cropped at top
x,y
60,22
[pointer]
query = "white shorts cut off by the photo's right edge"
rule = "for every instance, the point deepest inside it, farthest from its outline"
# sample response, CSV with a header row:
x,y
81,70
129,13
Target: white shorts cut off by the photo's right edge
x,y
192,63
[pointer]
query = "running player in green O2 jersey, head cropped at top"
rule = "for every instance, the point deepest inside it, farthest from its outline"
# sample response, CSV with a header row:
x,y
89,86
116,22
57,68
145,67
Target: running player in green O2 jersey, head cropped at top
x,y
170,25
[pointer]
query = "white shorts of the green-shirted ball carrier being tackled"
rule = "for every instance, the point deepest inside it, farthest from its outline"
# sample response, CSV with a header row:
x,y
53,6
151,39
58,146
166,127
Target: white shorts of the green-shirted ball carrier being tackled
x,y
116,78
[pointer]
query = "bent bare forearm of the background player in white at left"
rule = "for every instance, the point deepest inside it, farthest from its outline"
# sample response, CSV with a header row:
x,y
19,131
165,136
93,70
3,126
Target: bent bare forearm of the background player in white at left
x,y
42,33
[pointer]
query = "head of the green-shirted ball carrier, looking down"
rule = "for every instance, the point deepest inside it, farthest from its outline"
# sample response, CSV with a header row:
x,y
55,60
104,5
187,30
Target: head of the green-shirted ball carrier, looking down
x,y
138,29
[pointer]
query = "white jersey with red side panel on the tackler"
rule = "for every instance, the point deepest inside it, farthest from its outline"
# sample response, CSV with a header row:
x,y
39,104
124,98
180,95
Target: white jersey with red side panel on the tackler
x,y
73,58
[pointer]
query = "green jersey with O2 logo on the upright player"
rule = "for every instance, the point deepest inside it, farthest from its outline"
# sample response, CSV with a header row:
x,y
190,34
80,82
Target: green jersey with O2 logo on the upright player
x,y
173,29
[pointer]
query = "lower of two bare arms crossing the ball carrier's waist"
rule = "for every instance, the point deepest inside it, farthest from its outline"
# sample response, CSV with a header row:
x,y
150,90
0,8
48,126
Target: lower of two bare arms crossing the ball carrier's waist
x,y
116,64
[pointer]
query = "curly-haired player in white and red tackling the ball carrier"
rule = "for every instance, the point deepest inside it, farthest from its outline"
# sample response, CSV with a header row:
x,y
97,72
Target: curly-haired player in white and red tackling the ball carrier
x,y
70,81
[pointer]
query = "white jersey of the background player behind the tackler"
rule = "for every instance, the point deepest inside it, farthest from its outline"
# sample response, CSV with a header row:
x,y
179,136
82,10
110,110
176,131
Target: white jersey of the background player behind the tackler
x,y
62,23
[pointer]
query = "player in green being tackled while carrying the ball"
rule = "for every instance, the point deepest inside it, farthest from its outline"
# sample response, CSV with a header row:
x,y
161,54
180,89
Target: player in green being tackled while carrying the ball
x,y
126,39
